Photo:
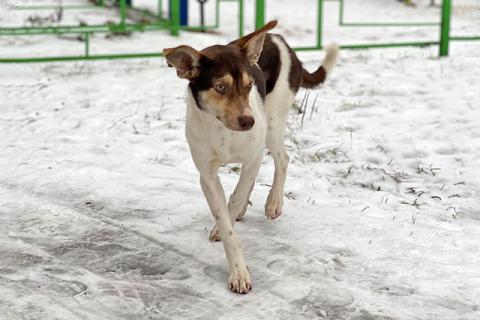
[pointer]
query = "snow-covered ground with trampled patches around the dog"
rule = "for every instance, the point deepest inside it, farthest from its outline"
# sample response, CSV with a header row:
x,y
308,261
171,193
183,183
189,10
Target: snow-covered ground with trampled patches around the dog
x,y
102,217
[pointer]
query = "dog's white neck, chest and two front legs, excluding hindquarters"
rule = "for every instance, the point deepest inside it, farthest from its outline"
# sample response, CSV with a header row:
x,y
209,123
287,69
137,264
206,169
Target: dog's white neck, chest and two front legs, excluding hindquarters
x,y
212,144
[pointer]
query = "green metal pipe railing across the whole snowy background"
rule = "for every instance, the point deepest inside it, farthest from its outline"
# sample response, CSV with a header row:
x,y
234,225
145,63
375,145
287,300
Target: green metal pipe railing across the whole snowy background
x,y
172,23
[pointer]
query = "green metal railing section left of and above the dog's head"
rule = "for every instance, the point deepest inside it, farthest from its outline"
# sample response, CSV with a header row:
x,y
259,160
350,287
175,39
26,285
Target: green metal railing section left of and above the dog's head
x,y
122,26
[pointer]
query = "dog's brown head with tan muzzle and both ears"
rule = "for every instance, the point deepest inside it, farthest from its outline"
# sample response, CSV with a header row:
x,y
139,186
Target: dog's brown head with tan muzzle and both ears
x,y
221,76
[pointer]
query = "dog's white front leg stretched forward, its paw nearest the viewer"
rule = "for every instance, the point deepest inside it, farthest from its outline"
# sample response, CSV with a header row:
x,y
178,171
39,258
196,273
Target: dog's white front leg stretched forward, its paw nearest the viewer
x,y
239,279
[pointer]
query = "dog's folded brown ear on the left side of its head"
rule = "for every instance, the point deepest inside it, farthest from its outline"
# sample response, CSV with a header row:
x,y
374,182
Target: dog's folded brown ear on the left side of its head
x,y
185,59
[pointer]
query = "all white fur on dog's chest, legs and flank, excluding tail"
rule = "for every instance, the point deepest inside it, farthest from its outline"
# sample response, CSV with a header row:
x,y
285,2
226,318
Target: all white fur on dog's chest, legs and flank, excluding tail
x,y
212,144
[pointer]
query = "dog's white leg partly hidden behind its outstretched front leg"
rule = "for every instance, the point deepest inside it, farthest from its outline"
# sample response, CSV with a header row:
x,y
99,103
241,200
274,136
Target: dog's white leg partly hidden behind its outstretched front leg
x,y
238,202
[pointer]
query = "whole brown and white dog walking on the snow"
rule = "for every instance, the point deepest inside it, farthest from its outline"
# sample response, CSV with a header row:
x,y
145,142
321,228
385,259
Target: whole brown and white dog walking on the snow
x,y
237,103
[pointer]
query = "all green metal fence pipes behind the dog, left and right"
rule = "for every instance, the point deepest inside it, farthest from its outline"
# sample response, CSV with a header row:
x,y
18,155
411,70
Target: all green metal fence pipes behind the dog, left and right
x,y
174,25
